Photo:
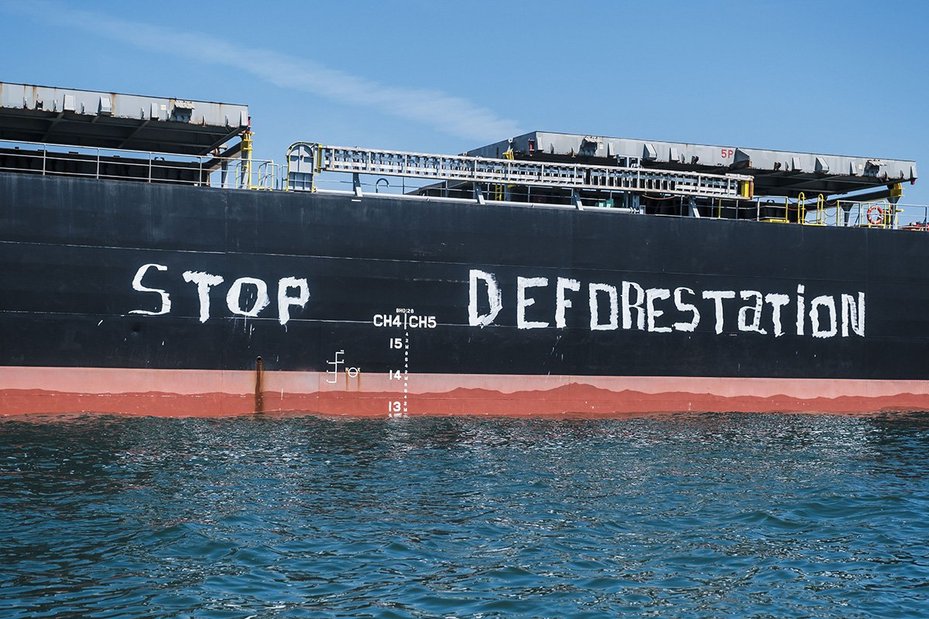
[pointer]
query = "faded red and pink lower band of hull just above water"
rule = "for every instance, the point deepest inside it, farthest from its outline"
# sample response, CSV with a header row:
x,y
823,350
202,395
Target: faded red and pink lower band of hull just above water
x,y
213,393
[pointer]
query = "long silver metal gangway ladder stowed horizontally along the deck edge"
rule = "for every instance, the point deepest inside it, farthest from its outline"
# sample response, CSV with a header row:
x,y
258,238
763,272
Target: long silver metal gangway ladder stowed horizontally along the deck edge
x,y
305,159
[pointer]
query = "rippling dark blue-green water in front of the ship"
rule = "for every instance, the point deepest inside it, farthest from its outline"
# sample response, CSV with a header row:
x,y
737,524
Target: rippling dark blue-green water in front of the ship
x,y
677,516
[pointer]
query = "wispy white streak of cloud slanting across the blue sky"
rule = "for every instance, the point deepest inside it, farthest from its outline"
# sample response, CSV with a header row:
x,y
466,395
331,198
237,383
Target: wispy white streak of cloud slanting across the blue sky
x,y
441,111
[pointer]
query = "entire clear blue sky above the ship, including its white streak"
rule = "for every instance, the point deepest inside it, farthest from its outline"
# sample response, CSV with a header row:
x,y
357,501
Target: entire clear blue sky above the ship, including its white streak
x,y
834,77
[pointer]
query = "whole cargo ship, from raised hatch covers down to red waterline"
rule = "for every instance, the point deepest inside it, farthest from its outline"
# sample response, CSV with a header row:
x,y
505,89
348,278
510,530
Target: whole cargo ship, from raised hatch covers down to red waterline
x,y
149,264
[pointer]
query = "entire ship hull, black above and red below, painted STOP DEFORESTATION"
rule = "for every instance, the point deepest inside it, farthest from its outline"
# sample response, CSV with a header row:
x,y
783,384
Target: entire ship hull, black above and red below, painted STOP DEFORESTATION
x,y
157,299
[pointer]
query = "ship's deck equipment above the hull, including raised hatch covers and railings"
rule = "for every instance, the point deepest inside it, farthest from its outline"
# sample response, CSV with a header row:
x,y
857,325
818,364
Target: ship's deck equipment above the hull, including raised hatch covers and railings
x,y
104,135
